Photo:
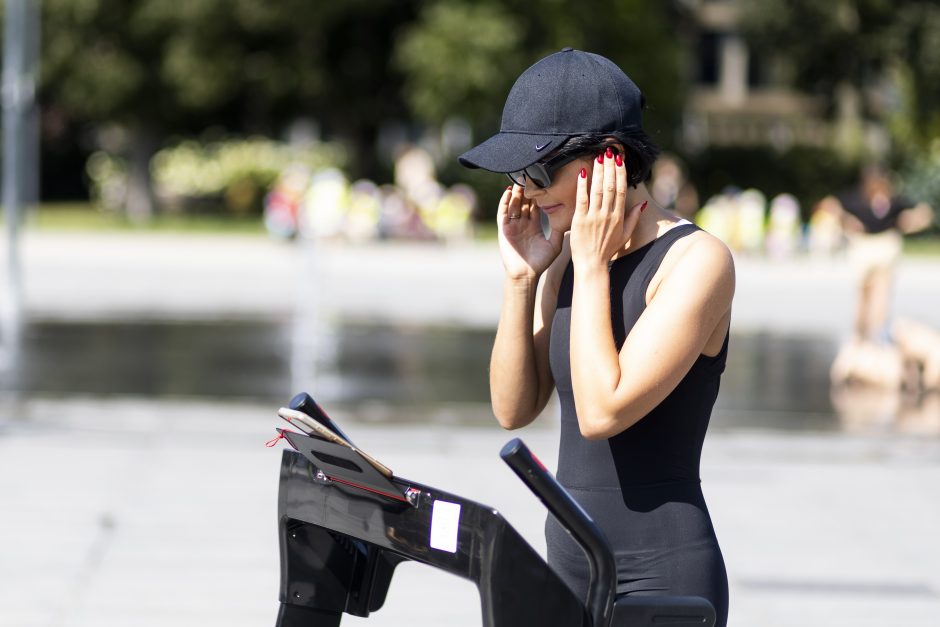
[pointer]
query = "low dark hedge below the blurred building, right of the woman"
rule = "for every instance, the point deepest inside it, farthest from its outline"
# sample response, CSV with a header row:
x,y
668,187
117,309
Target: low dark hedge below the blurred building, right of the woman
x,y
806,172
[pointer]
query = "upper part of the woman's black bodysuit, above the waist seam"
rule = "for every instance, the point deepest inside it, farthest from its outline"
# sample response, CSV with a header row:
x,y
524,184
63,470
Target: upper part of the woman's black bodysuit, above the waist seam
x,y
664,446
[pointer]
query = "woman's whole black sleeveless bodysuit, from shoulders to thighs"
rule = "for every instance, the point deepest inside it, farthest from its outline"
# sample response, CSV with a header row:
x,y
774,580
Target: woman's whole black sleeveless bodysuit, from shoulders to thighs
x,y
642,485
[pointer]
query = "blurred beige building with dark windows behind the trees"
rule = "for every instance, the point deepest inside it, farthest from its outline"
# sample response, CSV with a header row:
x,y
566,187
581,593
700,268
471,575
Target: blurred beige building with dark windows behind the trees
x,y
738,98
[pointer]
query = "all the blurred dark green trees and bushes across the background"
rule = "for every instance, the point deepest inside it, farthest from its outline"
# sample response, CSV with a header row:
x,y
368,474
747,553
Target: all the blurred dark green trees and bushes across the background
x,y
160,69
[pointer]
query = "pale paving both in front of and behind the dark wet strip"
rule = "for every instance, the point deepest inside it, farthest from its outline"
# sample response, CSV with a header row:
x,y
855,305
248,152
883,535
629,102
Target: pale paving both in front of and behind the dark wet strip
x,y
135,512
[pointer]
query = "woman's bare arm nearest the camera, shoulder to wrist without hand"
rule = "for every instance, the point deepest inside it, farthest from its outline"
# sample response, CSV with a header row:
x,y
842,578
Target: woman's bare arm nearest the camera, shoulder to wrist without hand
x,y
691,305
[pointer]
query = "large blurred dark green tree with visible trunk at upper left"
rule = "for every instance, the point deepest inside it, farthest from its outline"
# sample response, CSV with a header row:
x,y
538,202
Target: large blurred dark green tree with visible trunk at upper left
x,y
149,69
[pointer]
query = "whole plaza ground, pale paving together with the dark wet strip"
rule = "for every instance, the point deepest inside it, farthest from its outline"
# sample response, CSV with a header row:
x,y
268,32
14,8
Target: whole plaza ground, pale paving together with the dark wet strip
x,y
137,489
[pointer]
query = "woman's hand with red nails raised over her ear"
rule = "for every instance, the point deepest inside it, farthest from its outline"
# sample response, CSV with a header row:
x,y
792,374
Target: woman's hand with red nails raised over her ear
x,y
602,223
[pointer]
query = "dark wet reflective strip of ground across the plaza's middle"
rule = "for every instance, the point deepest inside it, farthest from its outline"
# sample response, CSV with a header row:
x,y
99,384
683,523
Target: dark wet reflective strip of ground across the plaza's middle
x,y
405,374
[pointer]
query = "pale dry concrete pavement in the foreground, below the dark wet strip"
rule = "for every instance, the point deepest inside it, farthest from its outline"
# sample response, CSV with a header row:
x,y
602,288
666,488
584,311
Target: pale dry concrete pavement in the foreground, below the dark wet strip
x,y
131,512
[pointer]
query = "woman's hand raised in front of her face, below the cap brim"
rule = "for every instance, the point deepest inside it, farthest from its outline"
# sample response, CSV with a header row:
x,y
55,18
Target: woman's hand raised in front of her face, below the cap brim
x,y
525,250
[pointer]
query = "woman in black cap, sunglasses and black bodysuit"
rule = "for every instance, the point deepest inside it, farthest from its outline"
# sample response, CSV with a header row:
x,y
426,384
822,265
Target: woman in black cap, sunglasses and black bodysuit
x,y
624,308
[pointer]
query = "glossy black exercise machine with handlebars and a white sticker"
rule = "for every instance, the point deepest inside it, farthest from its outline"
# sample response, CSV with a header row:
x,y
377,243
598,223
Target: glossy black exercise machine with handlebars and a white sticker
x,y
344,527
